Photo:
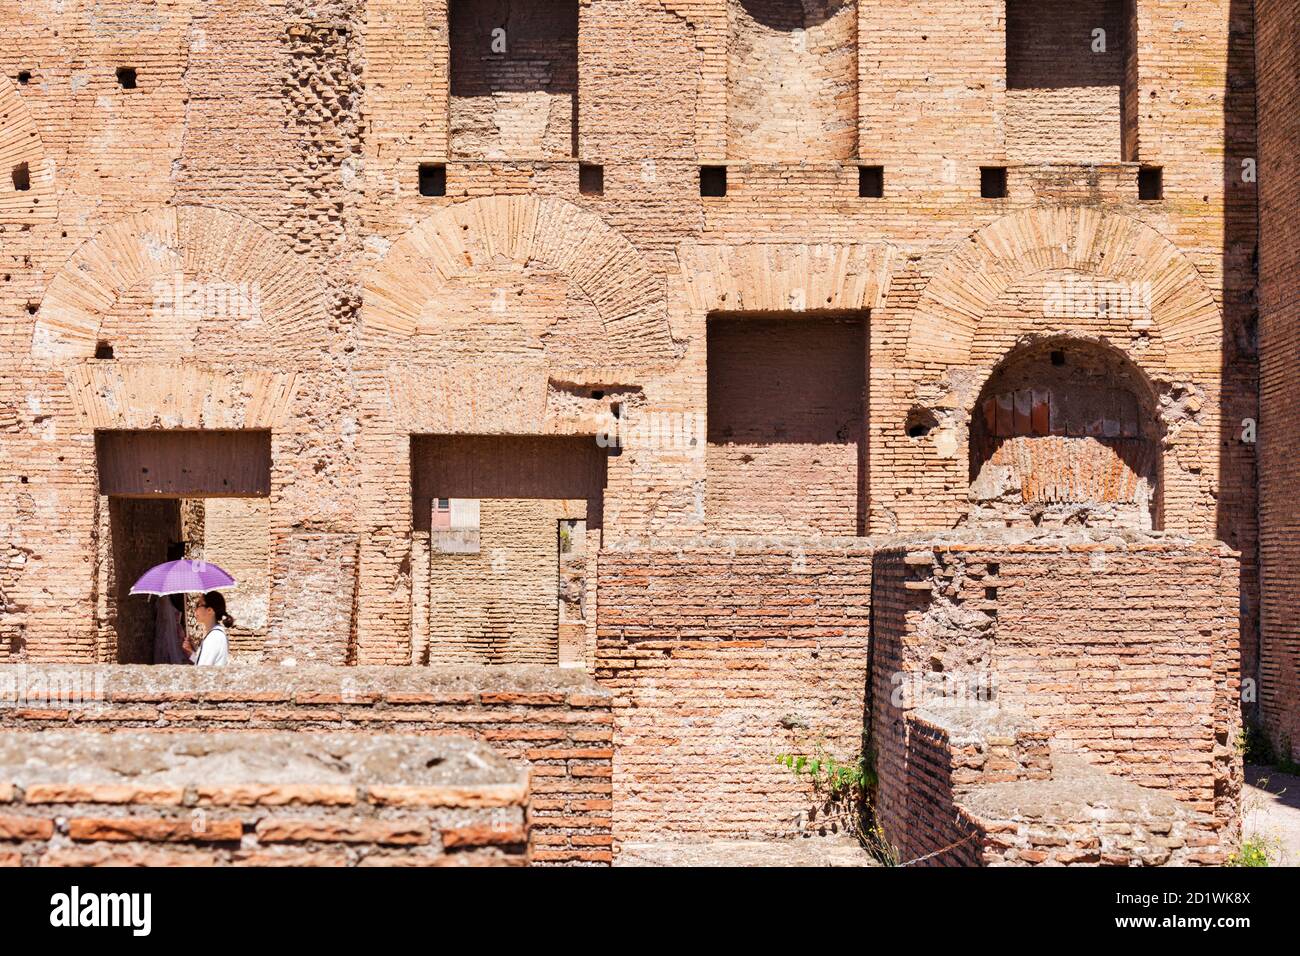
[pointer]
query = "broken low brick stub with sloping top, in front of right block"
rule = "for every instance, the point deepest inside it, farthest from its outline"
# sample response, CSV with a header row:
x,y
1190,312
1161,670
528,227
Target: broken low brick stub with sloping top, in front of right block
x,y
985,790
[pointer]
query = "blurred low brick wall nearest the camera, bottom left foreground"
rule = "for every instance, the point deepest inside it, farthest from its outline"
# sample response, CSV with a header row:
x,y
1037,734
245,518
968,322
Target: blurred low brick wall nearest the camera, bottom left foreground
x,y
265,799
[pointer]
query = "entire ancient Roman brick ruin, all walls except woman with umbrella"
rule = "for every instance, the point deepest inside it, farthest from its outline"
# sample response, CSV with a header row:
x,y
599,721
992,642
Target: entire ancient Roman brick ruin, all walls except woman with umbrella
x,y
616,397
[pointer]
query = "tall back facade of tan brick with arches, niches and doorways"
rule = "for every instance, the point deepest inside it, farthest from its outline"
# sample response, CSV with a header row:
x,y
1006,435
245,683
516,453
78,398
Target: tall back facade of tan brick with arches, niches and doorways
x,y
380,318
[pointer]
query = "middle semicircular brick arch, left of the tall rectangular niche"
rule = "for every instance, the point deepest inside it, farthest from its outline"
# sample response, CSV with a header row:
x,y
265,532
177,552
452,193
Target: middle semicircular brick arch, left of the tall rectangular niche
x,y
460,240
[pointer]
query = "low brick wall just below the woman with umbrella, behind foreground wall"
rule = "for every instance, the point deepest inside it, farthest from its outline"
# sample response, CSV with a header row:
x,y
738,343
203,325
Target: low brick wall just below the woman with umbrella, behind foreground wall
x,y
556,723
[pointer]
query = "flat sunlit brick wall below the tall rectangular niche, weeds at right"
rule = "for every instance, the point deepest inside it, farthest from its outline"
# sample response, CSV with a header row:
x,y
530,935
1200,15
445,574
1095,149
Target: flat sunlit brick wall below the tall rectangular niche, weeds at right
x,y
726,654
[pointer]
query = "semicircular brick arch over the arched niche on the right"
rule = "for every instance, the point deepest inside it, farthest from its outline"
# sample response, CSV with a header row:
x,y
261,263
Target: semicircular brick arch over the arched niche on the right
x,y
1107,245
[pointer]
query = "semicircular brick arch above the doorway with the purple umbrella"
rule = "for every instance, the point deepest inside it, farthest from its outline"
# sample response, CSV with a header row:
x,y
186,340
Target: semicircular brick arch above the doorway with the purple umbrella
x,y
194,241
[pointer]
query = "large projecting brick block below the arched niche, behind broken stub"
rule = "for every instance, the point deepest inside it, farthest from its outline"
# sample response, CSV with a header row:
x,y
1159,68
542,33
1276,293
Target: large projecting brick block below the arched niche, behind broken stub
x,y
1121,652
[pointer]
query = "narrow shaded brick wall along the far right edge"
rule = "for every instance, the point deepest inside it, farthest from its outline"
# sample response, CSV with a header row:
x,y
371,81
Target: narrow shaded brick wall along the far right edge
x,y
1279,57
